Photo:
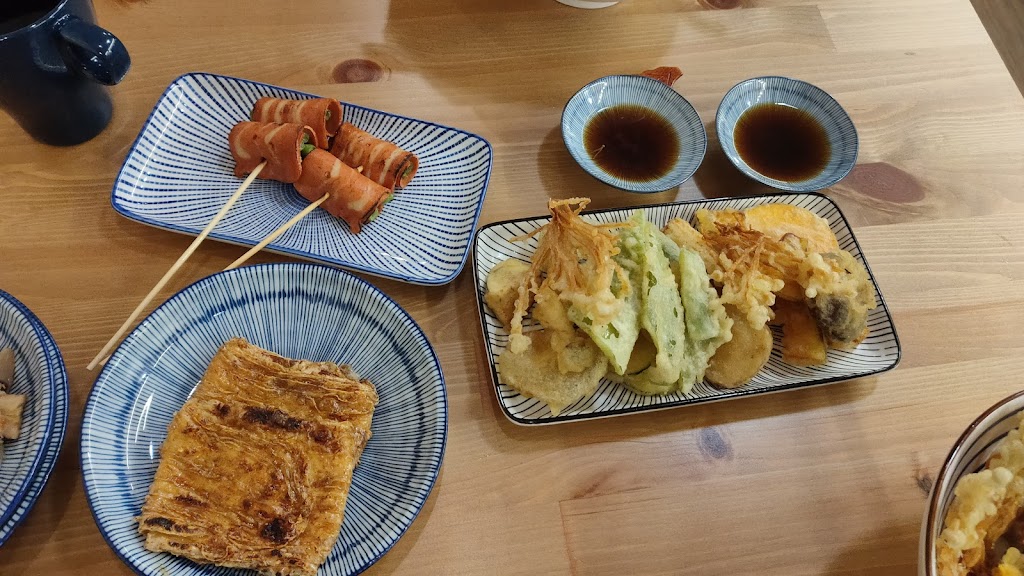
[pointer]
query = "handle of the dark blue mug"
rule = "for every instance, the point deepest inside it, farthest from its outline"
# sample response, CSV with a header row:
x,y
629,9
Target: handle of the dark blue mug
x,y
95,53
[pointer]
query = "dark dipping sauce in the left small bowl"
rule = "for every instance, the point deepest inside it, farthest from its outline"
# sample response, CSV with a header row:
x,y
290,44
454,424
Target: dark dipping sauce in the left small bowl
x,y
632,143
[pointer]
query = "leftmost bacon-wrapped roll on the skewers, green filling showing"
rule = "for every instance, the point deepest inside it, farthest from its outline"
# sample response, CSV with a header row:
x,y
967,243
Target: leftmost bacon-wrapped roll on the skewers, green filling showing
x,y
281,145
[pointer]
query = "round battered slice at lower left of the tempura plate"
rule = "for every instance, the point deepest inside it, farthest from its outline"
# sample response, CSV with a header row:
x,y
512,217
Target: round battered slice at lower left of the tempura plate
x,y
535,373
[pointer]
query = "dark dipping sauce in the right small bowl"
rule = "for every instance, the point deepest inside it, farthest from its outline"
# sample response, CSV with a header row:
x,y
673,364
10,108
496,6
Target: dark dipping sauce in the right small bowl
x,y
782,143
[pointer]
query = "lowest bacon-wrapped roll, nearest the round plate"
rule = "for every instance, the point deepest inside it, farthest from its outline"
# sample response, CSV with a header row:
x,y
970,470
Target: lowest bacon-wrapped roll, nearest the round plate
x,y
355,198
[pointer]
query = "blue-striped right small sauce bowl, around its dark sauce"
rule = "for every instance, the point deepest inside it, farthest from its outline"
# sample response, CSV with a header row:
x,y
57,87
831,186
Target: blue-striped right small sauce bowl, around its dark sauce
x,y
815,101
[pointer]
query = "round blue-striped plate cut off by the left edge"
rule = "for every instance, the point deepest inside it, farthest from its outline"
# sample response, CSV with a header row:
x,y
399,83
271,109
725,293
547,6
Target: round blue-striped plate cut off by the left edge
x,y
39,374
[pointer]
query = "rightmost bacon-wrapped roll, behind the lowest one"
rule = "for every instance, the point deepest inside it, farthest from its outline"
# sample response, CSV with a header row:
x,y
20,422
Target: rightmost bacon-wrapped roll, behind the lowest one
x,y
382,161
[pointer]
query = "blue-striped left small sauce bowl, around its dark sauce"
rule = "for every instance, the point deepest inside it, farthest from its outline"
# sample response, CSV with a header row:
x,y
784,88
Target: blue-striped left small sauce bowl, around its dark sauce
x,y
627,90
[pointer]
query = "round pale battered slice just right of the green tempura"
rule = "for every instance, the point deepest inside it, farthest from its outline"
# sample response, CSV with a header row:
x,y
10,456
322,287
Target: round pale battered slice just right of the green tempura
x,y
739,360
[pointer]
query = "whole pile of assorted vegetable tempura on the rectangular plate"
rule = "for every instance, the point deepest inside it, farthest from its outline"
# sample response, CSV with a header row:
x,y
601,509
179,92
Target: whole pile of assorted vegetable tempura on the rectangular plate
x,y
645,305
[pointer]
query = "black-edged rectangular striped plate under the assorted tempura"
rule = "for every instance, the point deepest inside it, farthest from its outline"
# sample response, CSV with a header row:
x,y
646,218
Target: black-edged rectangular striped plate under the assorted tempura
x,y
880,352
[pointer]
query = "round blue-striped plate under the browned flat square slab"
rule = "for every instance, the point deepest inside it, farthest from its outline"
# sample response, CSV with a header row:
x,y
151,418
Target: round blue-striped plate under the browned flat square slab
x,y
301,311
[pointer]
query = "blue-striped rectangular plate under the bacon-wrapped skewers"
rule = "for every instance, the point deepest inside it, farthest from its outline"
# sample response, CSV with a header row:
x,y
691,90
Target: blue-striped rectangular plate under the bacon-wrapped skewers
x,y
180,173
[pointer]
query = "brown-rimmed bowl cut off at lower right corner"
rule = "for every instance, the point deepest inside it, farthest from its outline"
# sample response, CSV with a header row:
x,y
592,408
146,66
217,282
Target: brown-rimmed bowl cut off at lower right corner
x,y
968,456
